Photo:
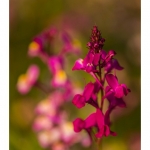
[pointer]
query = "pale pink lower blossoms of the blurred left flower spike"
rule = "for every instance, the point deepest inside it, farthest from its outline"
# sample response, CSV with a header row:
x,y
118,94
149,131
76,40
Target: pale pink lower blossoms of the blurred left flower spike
x,y
52,125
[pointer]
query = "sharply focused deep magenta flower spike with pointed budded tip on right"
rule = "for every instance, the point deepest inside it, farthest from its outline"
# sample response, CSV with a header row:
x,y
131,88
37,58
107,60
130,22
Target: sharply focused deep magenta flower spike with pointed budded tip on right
x,y
100,65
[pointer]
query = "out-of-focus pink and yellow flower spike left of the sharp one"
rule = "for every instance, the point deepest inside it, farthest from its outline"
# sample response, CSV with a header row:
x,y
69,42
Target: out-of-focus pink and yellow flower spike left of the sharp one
x,y
51,123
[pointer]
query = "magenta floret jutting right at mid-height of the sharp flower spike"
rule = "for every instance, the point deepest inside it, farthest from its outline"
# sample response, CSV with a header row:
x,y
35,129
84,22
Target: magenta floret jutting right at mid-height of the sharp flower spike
x,y
119,90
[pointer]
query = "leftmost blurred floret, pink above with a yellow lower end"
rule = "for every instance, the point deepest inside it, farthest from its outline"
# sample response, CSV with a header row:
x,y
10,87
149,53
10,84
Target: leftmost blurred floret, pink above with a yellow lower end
x,y
26,81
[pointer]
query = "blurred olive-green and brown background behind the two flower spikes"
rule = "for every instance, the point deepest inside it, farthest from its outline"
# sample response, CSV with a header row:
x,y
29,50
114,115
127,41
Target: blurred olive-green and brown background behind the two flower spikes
x,y
119,22
